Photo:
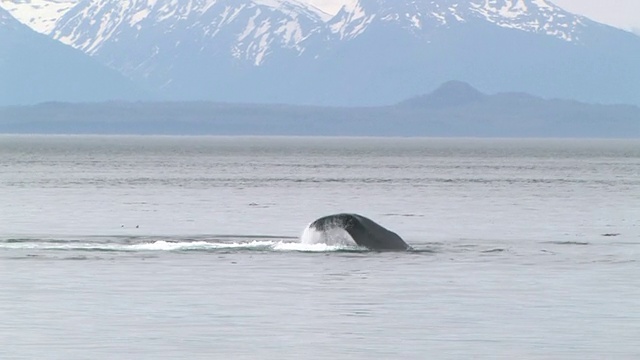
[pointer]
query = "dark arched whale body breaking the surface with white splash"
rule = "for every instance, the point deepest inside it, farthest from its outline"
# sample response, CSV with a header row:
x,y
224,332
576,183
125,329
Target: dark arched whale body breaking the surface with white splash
x,y
364,231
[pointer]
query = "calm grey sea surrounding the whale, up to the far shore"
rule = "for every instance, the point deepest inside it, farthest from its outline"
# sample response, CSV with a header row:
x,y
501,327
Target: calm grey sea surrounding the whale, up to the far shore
x,y
116,247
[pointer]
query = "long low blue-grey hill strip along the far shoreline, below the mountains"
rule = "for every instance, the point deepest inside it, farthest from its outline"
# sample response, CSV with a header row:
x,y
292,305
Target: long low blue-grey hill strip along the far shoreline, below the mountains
x,y
454,109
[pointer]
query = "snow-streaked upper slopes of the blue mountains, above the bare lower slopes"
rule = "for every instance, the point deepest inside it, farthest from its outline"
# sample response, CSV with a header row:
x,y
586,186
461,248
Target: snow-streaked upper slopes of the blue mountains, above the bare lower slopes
x,y
252,30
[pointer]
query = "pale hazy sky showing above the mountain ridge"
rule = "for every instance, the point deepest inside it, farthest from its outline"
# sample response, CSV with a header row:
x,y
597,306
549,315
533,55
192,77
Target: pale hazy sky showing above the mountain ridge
x,y
620,13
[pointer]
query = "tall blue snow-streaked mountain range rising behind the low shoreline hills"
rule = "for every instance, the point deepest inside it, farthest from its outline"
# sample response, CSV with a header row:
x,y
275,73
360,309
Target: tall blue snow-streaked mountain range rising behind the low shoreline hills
x,y
372,52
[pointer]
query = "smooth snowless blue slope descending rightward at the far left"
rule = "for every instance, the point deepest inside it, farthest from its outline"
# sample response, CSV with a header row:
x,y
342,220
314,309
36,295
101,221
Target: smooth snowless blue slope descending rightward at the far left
x,y
35,68
